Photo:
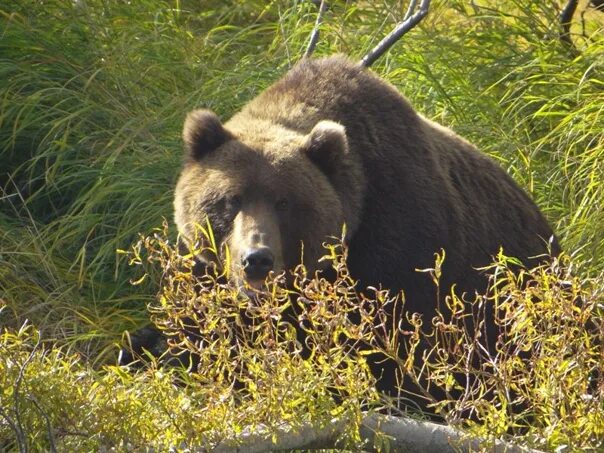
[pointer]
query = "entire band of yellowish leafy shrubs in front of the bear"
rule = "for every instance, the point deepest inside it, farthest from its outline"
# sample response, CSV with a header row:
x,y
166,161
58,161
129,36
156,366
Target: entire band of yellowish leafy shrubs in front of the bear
x,y
251,371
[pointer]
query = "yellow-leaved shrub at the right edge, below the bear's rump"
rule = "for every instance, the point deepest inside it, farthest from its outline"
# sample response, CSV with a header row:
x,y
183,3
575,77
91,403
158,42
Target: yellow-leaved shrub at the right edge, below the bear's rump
x,y
545,376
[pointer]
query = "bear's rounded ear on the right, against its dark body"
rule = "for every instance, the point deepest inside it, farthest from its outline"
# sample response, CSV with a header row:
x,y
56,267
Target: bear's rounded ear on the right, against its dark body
x,y
326,145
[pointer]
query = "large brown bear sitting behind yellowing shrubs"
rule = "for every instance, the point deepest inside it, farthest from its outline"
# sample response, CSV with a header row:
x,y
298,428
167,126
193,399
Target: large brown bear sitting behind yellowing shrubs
x,y
331,144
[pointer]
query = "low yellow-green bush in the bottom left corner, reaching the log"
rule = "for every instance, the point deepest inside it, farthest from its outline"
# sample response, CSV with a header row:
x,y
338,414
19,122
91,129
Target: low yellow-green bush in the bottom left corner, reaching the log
x,y
52,400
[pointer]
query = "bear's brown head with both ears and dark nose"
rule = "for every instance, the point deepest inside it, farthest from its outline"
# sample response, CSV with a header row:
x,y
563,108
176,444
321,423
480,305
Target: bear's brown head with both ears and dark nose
x,y
272,195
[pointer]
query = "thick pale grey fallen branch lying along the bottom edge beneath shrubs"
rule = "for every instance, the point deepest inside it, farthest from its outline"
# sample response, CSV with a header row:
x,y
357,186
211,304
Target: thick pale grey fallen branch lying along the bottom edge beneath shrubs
x,y
399,433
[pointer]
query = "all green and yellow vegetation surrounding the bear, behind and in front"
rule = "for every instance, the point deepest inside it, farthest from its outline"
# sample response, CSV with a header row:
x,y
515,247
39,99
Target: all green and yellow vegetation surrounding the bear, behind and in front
x,y
92,101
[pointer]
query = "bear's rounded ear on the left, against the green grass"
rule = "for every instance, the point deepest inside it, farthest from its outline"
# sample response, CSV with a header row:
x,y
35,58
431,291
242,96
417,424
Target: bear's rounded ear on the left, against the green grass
x,y
203,133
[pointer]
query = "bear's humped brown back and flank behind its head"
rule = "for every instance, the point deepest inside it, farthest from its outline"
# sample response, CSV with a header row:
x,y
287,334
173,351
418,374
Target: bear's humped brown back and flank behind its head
x,y
425,188
